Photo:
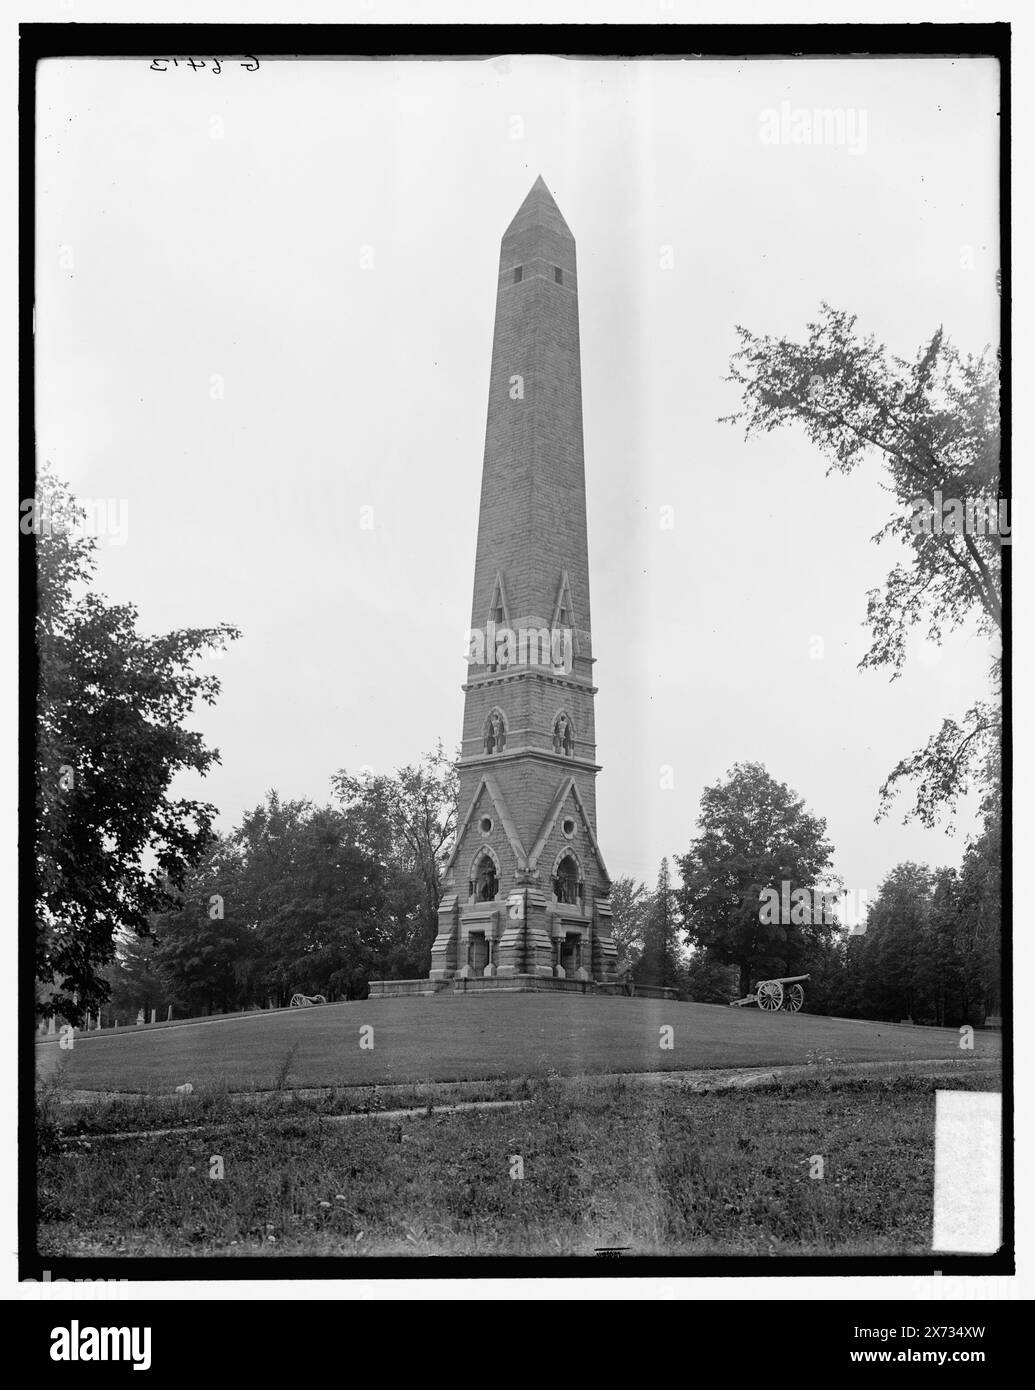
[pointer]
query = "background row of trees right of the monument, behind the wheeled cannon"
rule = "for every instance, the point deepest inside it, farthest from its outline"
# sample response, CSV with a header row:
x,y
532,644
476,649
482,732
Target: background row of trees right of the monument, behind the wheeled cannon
x,y
930,950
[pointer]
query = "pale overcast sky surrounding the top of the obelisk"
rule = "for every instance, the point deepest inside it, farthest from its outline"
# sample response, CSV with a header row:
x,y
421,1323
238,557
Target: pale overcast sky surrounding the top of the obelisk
x,y
216,348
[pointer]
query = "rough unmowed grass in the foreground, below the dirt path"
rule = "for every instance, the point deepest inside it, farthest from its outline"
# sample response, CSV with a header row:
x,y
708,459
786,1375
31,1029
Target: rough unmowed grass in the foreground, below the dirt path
x,y
604,1163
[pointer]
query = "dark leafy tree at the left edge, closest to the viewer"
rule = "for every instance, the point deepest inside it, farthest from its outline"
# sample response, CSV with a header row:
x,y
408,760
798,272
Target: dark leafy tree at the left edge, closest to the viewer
x,y
110,840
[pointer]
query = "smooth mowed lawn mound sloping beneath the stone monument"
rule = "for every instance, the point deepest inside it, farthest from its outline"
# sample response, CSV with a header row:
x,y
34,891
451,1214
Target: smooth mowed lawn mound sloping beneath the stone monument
x,y
444,1039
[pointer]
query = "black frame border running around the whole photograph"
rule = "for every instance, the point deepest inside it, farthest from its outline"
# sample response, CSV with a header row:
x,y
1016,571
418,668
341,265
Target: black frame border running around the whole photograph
x,y
348,42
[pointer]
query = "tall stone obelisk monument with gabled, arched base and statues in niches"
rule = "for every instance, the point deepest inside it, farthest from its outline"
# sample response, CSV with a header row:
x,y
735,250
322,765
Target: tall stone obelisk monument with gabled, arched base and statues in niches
x,y
527,896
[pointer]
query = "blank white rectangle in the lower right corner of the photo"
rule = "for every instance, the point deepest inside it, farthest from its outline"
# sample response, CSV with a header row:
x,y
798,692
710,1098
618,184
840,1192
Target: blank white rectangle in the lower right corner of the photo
x,y
969,1178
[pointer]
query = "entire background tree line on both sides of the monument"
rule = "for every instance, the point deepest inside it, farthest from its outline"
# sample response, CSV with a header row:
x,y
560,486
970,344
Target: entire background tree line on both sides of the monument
x,y
320,900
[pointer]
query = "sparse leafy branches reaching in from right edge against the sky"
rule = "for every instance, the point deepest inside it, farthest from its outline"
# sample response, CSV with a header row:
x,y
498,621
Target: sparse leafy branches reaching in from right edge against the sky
x,y
934,425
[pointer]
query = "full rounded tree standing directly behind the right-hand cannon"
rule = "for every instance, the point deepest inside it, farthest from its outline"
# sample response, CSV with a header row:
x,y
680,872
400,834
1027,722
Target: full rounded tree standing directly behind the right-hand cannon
x,y
755,835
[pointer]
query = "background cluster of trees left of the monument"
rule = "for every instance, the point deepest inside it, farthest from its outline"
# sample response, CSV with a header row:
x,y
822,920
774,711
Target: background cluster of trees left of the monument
x,y
301,899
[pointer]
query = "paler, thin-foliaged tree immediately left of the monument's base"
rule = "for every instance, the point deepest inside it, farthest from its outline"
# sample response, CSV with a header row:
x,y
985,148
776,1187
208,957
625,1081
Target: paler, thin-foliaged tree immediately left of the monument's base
x,y
408,821
